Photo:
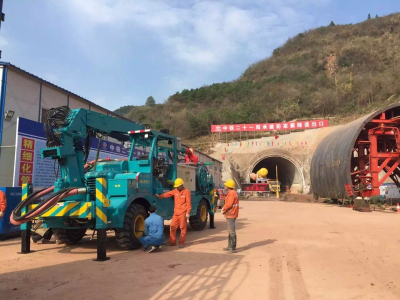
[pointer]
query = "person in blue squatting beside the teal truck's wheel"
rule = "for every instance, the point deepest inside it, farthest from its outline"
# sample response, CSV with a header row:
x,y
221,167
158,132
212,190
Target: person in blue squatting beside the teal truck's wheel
x,y
153,232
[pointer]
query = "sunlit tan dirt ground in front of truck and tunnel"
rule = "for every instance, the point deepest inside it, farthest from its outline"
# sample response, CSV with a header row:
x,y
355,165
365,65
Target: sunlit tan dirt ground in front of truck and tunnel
x,y
287,251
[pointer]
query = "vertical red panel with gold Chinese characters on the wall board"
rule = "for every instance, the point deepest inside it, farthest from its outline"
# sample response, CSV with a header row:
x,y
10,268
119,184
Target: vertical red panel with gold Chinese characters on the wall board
x,y
26,161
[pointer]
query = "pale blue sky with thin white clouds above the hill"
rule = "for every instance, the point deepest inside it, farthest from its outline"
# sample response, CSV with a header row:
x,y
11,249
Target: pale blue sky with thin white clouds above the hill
x,y
119,52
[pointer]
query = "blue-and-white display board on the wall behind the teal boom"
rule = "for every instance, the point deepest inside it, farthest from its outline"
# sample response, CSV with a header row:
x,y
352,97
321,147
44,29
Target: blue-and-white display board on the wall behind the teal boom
x,y
31,168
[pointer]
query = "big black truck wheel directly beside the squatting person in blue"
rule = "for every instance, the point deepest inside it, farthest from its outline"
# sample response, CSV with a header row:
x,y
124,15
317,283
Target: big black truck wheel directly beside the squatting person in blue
x,y
128,236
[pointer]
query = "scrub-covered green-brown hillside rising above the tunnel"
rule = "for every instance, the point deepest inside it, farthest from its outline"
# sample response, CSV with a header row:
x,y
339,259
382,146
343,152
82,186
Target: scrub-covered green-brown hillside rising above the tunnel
x,y
342,71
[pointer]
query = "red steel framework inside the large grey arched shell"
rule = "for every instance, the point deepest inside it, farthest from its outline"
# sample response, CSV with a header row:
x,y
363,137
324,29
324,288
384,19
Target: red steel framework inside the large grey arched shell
x,y
376,151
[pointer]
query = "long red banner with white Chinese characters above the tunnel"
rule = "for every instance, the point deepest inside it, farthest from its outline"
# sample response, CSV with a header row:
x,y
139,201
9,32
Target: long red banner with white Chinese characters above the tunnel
x,y
270,126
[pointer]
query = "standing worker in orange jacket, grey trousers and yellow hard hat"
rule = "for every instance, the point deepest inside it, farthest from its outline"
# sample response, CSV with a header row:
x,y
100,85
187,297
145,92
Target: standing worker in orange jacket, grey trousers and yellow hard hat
x,y
231,212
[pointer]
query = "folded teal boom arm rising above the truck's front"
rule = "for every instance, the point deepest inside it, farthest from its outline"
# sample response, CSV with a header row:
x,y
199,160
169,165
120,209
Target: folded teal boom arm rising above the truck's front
x,y
66,132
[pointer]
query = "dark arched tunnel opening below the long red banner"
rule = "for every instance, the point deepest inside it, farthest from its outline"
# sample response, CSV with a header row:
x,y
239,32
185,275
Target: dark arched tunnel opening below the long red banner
x,y
288,173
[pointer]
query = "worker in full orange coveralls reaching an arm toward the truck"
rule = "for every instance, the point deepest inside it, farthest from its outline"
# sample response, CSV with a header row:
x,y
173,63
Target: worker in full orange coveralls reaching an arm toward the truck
x,y
182,208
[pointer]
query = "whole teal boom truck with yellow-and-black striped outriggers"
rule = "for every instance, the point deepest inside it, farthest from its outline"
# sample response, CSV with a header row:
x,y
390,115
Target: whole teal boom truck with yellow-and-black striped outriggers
x,y
109,194
